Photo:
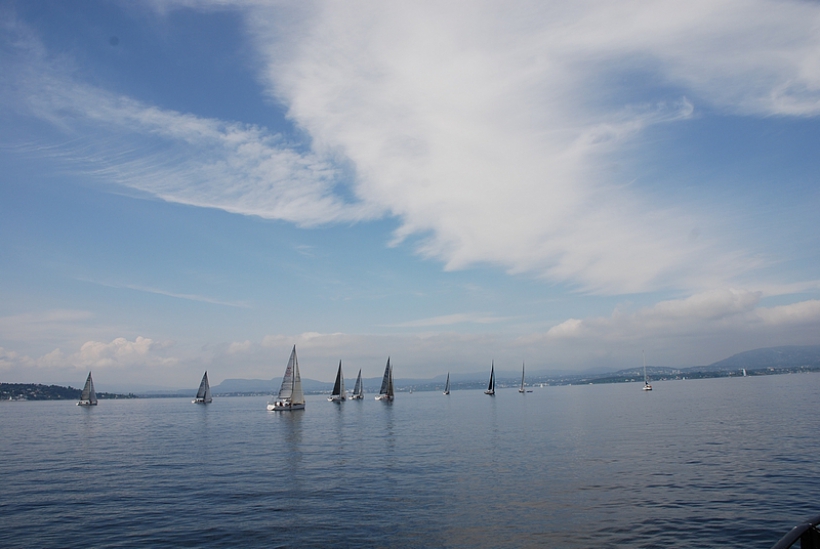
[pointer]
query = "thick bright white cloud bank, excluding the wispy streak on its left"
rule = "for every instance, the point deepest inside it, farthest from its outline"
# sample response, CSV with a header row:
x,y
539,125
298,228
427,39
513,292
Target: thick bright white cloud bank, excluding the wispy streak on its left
x,y
487,129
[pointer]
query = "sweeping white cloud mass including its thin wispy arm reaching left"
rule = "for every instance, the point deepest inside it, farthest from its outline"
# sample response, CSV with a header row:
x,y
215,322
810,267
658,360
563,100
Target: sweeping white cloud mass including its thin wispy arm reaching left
x,y
487,128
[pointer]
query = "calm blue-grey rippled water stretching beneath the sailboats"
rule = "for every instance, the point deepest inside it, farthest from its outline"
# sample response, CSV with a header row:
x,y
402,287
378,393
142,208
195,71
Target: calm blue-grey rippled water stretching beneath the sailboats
x,y
706,463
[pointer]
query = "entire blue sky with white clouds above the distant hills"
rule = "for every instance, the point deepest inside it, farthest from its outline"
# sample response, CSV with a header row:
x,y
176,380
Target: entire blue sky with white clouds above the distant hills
x,y
189,186
